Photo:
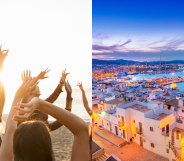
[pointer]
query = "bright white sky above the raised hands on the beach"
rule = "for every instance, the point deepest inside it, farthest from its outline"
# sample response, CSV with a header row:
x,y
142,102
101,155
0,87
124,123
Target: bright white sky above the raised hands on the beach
x,y
46,34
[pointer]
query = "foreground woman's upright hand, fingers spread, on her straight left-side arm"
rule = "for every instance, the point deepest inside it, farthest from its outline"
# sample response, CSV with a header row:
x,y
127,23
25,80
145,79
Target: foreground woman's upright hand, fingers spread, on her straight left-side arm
x,y
25,88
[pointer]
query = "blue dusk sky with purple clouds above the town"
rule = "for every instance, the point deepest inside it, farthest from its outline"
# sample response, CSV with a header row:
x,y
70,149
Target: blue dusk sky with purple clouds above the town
x,y
138,30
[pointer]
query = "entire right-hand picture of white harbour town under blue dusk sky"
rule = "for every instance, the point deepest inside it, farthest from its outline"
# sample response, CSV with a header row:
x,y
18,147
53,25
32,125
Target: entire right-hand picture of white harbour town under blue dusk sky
x,y
138,81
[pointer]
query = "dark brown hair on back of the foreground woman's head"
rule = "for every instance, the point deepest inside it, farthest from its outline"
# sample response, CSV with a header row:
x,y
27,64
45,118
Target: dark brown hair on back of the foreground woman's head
x,y
32,142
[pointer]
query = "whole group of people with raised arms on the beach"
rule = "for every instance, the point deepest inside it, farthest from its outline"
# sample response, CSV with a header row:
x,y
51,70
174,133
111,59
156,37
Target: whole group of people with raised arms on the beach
x,y
27,136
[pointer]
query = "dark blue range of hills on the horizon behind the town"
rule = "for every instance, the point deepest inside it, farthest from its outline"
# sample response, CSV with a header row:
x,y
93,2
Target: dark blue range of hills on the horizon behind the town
x,y
130,62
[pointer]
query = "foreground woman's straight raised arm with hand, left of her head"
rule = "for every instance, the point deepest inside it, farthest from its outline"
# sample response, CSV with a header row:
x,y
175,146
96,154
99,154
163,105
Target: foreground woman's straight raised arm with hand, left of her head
x,y
6,151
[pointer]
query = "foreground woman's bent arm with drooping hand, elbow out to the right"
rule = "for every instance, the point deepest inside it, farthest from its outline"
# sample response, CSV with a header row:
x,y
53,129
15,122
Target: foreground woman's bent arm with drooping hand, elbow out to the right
x,y
76,125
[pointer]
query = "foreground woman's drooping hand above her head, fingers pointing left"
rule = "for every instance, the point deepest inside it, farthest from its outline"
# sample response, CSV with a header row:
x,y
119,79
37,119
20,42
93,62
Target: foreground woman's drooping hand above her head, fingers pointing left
x,y
25,113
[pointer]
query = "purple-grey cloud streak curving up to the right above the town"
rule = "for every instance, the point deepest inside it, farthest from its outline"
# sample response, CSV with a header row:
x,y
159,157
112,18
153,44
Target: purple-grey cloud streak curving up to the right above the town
x,y
110,48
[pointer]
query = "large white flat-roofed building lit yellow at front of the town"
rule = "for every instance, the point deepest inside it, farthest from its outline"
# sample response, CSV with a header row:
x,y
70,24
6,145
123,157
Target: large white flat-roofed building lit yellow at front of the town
x,y
147,124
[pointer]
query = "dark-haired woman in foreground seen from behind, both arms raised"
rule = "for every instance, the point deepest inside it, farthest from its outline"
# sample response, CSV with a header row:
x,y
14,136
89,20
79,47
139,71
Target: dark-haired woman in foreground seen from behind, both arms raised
x,y
31,140
